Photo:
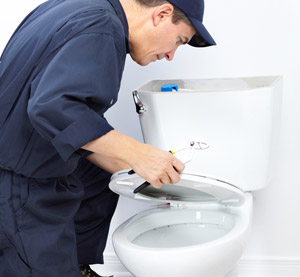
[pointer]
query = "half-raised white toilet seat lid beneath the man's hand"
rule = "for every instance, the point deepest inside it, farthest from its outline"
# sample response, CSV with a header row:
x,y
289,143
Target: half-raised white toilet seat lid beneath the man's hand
x,y
192,189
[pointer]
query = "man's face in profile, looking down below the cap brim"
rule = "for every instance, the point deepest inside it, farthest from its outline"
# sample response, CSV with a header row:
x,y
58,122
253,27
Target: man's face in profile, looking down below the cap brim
x,y
161,42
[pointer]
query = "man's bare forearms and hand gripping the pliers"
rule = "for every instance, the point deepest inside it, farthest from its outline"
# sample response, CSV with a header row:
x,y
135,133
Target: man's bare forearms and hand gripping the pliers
x,y
115,151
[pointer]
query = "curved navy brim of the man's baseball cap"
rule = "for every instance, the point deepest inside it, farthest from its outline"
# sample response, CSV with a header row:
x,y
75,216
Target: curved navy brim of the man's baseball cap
x,y
202,38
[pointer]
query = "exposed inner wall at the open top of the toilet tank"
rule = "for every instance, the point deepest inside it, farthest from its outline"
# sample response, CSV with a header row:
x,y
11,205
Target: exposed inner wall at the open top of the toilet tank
x,y
205,85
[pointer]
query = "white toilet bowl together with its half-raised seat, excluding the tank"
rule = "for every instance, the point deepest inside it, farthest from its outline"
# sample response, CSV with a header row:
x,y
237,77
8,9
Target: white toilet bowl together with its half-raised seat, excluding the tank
x,y
205,224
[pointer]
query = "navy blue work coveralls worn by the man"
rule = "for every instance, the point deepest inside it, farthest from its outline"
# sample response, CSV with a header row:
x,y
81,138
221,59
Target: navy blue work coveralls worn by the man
x,y
59,73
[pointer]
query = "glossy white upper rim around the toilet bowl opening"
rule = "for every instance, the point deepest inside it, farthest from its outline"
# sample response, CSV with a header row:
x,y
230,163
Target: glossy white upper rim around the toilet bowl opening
x,y
242,218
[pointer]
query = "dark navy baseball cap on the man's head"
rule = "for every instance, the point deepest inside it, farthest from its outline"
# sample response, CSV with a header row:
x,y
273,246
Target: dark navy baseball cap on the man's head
x,y
194,10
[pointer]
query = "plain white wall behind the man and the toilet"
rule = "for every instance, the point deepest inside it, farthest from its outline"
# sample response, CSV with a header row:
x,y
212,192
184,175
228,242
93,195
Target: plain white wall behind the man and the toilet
x,y
255,37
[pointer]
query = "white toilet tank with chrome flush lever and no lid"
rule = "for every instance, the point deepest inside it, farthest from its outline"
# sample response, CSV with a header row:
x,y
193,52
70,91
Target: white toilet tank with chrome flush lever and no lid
x,y
238,118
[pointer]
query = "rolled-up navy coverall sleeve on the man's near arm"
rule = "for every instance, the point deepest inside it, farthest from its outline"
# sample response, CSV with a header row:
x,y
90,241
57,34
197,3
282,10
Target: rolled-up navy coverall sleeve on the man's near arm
x,y
70,95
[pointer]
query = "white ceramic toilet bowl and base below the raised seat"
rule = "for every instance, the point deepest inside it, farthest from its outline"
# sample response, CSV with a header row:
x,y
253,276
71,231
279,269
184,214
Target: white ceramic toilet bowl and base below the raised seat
x,y
214,258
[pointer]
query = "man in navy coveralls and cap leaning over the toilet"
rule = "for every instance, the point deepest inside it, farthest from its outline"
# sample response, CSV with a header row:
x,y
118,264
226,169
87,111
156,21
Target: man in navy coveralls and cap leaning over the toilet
x,y
59,73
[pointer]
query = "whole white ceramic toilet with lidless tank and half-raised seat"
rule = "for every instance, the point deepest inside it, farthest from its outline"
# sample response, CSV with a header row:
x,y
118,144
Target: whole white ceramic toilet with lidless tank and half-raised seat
x,y
227,129
